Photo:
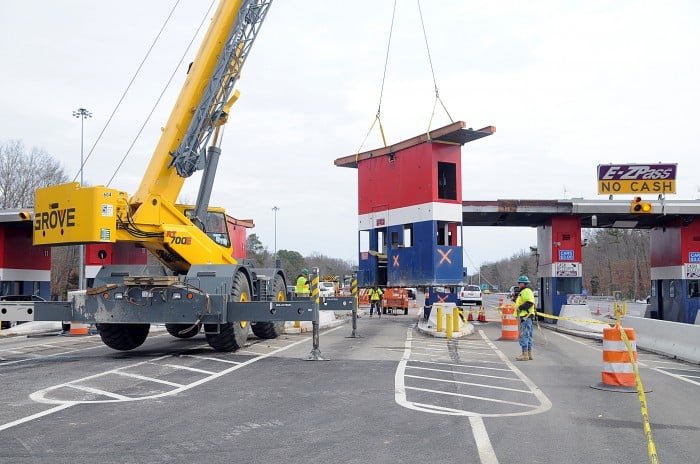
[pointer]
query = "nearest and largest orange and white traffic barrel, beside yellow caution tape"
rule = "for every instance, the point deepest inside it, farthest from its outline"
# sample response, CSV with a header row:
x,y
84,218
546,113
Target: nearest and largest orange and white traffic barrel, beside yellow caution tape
x,y
617,363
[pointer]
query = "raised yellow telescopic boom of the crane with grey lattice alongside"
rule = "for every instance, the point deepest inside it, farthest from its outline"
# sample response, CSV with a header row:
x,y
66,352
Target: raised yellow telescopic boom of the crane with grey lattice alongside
x,y
201,109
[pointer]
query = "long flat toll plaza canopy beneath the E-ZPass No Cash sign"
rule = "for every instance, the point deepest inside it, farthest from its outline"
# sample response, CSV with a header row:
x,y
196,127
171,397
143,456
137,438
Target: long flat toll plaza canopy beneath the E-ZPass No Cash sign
x,y
591,213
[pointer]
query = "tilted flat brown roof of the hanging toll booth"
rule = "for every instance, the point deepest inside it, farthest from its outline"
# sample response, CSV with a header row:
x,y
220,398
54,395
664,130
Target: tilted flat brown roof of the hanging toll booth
x,y
454,133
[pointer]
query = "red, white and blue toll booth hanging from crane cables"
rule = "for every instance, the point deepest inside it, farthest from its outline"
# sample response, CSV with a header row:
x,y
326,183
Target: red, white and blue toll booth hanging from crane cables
x,y
410,209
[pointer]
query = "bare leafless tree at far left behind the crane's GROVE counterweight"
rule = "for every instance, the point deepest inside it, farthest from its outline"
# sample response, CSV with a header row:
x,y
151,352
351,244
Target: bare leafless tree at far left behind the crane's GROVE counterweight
x,y
22,172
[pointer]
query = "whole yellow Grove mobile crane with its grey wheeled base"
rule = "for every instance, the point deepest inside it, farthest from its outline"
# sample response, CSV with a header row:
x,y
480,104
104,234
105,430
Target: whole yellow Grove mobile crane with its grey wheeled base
x,y
198,283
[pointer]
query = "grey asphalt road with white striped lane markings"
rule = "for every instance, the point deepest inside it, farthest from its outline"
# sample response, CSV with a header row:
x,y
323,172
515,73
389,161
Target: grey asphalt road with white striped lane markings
x,y
390,395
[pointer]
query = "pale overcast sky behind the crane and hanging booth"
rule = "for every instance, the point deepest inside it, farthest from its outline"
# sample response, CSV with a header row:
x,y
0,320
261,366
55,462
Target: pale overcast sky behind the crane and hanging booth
x,y
568,85
